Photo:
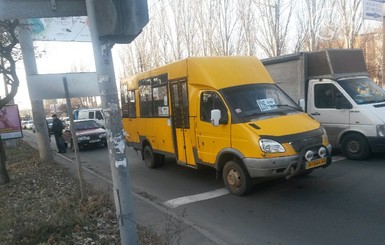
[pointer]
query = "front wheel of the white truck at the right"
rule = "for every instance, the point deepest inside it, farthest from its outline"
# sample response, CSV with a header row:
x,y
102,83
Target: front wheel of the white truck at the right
x,y
355,147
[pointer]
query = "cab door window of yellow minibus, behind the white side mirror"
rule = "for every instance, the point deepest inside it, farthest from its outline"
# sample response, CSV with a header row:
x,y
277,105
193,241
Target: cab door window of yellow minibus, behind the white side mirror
x,y
210,101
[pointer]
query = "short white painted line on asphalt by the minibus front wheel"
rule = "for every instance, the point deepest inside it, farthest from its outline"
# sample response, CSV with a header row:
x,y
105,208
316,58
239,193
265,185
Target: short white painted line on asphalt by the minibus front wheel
x,y
173,203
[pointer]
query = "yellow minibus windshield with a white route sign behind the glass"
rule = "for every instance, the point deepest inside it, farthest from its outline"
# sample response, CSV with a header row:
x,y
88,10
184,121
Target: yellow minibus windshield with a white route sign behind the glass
x,y
257,101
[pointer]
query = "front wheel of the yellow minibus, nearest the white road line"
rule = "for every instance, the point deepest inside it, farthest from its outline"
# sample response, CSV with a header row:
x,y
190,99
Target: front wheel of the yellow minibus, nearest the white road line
x,y
236,179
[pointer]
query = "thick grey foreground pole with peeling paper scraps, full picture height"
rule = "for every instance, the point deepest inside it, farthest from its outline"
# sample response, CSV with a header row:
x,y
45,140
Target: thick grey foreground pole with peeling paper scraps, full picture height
x,y
115,138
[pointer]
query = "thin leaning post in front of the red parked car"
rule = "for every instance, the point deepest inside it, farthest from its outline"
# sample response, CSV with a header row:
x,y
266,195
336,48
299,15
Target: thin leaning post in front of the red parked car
x,y
74,143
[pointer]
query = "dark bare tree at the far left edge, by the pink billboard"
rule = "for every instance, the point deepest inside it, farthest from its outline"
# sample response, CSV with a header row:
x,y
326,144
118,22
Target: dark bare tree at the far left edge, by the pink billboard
x,y
8,42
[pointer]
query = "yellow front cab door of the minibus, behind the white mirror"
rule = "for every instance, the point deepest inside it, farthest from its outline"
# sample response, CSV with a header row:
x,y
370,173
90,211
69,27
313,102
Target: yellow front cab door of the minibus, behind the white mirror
x,y
211,139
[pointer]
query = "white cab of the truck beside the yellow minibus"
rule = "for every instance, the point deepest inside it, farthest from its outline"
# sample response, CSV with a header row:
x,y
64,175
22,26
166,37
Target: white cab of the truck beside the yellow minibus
x,y
352,110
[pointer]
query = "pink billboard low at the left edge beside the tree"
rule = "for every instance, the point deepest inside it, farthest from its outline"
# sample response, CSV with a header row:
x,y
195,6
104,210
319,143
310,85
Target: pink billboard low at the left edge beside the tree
x,y
10,126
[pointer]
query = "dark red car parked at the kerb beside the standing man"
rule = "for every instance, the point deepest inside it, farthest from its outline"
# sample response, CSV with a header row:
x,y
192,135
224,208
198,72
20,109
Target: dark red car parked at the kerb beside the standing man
x,y
88,133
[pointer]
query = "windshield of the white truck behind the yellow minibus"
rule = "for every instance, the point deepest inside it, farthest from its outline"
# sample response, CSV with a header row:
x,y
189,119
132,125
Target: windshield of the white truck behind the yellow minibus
x,y
363,90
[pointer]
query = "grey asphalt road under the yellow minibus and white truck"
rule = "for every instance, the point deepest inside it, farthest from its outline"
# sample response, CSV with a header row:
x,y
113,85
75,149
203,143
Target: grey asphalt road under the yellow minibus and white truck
x,y
342,204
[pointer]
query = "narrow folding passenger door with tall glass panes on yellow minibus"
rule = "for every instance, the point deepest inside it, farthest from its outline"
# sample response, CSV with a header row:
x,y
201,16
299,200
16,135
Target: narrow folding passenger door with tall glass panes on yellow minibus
x,y
183,135
